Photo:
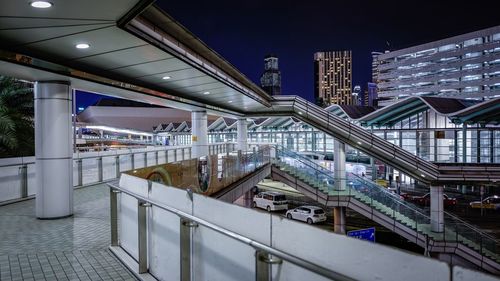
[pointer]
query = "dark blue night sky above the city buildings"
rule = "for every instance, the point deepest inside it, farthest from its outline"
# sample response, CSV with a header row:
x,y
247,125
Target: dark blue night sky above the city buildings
x,y
243,32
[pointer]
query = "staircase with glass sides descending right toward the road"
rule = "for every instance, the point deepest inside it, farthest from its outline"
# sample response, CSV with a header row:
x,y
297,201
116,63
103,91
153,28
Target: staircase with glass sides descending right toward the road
x,y
387,209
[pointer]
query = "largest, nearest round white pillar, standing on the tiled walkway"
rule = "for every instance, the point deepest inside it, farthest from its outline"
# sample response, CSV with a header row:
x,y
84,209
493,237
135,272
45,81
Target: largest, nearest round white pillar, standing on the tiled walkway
x,y
53,150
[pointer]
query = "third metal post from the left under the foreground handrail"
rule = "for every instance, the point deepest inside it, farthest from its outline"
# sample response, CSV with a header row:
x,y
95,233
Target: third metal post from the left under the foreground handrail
x,y
186,242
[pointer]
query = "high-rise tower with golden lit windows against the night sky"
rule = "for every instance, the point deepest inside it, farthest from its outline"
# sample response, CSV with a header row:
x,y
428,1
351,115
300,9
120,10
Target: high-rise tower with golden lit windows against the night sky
x,y
333,77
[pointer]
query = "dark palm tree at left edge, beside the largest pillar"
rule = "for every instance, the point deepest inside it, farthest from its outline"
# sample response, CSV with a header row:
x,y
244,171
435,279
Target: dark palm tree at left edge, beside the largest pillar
x,y
16,118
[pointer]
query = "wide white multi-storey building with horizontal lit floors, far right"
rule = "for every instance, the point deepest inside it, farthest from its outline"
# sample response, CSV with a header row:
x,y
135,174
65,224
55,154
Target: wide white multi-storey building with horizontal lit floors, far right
x,y
465,66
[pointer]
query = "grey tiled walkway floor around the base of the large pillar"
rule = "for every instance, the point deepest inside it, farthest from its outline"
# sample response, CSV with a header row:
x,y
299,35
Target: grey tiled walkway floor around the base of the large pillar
x,y
74,248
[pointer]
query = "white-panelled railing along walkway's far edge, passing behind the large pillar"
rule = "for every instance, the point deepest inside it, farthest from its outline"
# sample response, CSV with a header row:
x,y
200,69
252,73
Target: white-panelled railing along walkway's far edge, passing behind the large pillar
x,y
17,177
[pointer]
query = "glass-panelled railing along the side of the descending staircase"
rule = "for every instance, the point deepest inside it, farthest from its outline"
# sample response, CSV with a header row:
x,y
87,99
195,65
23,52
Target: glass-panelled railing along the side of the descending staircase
x,y
390,204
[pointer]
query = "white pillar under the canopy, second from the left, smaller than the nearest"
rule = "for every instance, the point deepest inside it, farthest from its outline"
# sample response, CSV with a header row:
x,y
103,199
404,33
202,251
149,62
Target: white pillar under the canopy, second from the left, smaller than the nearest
x,y
199,133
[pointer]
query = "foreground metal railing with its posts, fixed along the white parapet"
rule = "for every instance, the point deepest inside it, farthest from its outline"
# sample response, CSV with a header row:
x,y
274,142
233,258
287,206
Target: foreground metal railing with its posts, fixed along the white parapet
x,y
265,256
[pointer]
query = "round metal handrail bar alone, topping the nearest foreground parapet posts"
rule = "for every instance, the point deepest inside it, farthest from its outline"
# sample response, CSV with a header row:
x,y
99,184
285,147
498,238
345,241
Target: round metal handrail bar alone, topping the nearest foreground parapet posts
x,y
318,269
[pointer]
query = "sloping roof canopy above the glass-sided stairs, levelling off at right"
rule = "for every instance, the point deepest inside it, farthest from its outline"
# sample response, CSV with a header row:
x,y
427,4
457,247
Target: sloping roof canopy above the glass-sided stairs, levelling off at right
x,y
391,154
